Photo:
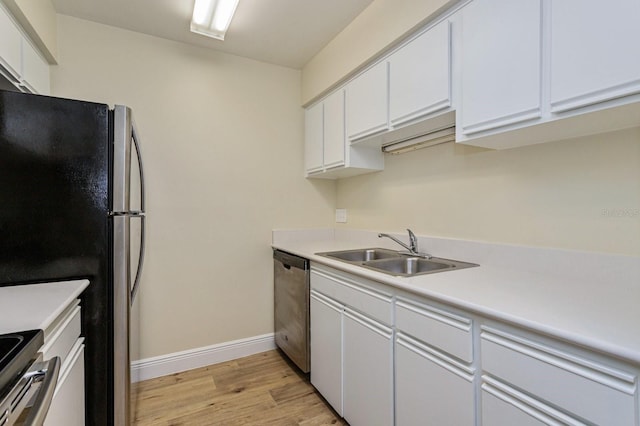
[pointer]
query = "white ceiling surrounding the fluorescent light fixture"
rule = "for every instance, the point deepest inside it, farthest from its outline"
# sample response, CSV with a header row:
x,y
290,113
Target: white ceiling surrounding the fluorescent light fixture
x,y
283,32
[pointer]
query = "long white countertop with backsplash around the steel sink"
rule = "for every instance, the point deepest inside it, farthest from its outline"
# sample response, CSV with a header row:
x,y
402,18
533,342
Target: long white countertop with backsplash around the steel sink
x,y
589,299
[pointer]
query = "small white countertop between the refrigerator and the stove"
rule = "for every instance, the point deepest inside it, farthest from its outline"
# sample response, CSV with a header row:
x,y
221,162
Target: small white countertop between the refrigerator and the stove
x,y
36,306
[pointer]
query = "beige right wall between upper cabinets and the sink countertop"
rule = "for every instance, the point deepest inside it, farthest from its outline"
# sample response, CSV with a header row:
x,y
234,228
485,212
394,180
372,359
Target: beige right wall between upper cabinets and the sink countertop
x,y
579,194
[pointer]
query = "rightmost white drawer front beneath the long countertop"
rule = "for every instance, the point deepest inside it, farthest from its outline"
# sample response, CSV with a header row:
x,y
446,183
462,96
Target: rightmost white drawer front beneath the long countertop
x,y
594,391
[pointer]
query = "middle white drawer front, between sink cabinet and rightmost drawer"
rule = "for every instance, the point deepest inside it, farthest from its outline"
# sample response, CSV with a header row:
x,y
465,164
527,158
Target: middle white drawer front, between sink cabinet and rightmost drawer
x,y
444,330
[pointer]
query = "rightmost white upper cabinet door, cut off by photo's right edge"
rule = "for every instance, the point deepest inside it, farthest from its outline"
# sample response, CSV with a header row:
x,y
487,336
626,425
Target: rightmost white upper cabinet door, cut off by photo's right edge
x,y
590,56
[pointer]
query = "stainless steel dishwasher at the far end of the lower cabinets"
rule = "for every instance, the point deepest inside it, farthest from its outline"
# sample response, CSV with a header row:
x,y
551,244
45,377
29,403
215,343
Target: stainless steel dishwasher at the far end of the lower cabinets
x,y
291,306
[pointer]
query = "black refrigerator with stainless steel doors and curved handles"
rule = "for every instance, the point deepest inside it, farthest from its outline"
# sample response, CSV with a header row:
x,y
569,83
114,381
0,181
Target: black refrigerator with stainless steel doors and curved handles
x,y
72,206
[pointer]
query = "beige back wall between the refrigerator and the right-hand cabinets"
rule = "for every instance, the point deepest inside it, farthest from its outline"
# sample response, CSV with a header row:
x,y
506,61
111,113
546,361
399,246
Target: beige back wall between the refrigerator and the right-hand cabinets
x,y
222,141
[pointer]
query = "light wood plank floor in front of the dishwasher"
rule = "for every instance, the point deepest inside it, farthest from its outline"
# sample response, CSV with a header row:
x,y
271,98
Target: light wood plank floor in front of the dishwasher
x,y
262,389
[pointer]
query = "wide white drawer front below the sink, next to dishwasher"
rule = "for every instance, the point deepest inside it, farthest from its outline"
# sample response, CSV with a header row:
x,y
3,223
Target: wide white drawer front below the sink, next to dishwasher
x,y
364,299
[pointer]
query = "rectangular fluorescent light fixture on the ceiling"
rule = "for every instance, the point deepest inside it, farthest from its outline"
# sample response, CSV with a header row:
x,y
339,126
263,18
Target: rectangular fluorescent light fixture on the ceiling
x,y
211,18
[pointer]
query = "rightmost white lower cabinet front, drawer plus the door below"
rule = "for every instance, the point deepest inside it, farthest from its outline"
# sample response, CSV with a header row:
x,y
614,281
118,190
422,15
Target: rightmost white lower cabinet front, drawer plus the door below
x,y
583,388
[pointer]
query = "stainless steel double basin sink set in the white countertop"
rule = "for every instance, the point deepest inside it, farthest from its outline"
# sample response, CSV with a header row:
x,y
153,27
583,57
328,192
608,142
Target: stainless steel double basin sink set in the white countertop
x,y
395,263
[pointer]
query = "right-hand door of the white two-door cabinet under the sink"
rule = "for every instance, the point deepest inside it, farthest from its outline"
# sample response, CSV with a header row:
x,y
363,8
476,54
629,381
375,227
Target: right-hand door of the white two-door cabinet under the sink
x,y
368,371
